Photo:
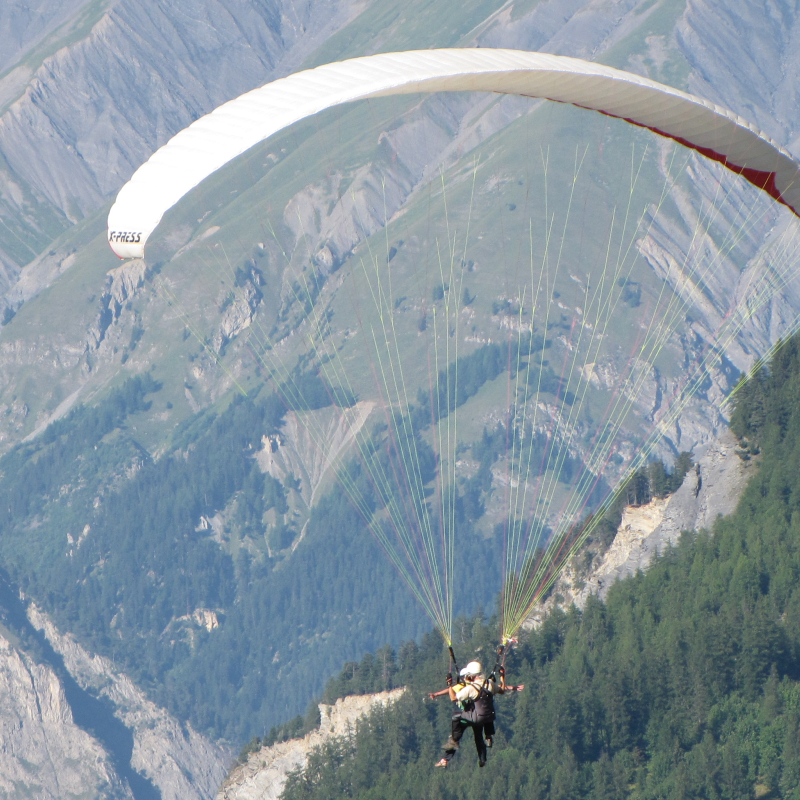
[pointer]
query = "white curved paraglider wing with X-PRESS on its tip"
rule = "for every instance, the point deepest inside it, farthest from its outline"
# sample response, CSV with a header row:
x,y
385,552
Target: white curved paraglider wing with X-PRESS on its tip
x,y
236,126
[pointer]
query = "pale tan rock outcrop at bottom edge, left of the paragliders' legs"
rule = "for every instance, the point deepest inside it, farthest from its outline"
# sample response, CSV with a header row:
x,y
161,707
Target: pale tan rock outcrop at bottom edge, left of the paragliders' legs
x,y
264,773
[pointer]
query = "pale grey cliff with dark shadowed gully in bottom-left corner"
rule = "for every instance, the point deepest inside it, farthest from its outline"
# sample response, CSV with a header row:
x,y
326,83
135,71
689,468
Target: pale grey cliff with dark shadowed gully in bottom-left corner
x,y
74,726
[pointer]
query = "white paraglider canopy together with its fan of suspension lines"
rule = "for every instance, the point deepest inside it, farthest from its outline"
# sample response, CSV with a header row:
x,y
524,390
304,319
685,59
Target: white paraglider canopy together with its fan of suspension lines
x,y
584,316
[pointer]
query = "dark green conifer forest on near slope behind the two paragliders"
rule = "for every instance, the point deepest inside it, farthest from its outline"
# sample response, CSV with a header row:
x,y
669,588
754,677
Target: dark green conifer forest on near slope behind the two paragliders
x,y
684,683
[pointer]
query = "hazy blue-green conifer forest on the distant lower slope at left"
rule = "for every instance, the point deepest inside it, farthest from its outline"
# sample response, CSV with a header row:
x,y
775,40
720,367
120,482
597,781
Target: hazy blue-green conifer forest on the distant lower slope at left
x,y
108,540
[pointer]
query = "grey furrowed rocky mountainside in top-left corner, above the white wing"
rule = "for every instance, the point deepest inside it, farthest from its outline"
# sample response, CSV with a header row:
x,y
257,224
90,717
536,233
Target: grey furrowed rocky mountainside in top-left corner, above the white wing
x,y
69,140
